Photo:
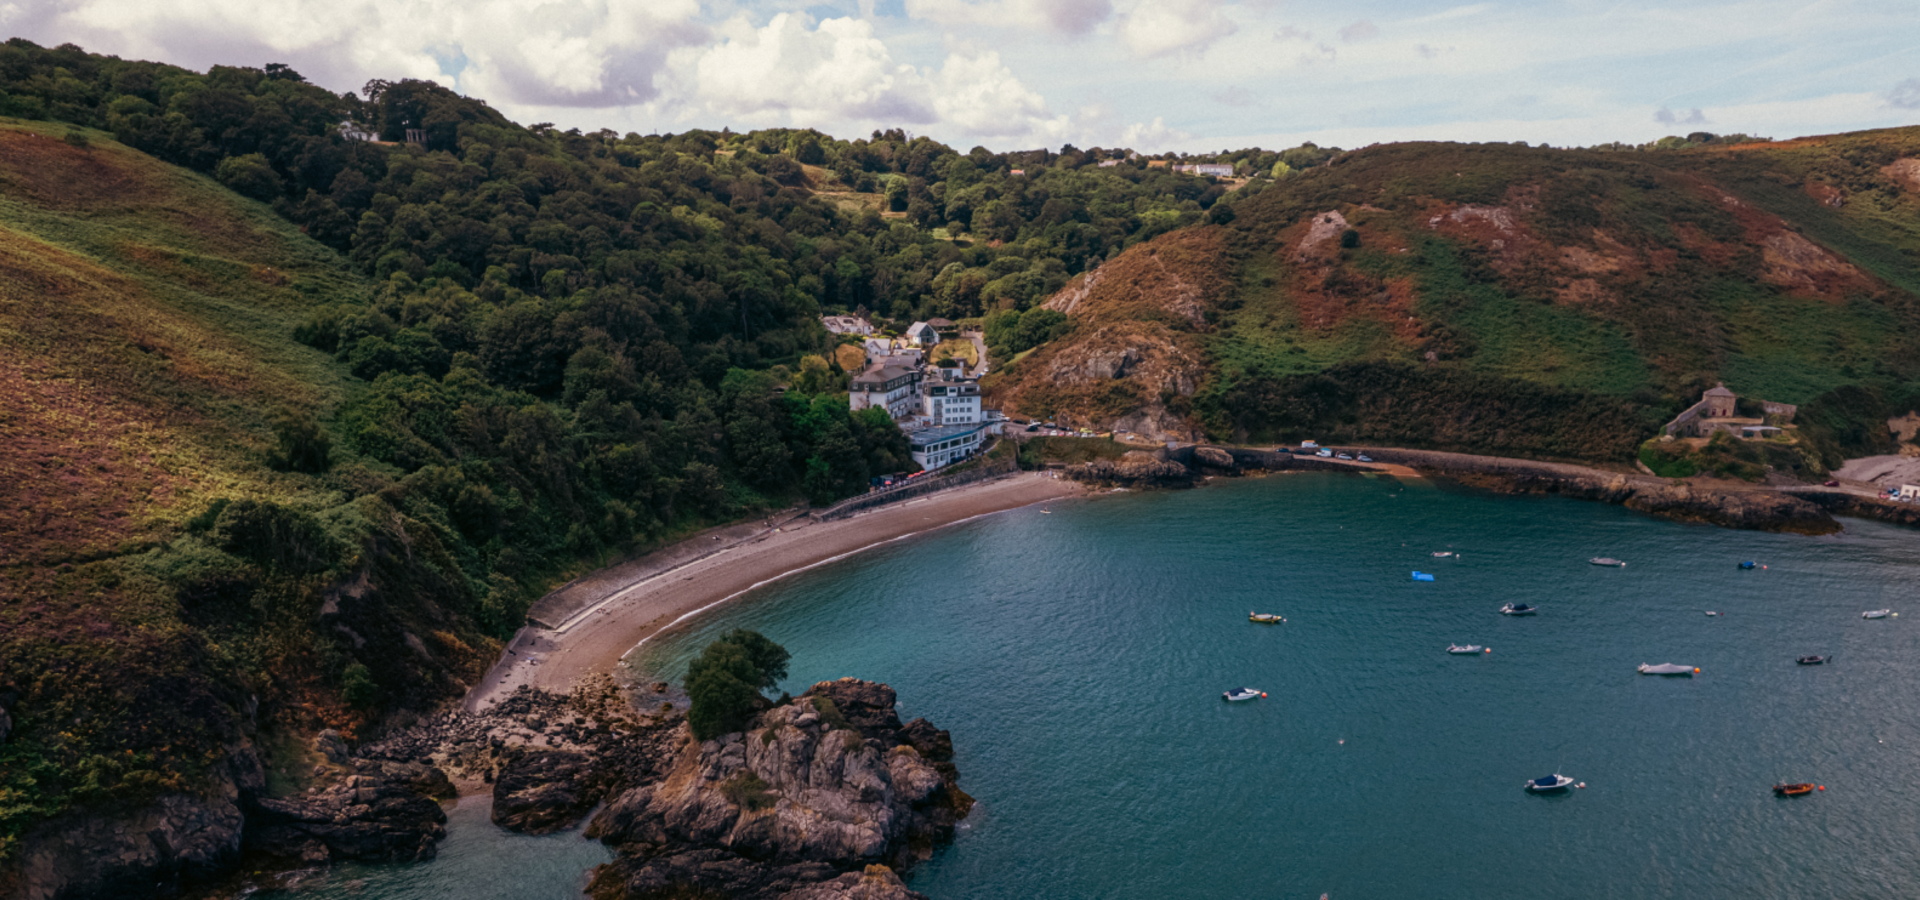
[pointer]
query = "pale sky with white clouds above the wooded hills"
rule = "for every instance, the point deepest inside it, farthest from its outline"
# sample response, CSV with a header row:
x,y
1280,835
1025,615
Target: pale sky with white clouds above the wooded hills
x,y
1153,76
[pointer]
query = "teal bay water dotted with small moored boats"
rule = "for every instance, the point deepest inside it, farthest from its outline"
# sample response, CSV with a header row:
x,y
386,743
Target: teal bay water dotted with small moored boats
x,y
1078,657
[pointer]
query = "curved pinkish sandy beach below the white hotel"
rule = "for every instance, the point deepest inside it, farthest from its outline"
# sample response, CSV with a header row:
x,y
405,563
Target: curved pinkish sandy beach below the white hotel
x,y
596,638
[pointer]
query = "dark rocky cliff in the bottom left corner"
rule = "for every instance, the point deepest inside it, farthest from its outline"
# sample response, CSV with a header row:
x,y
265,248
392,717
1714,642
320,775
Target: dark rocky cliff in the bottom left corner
x,y
145,853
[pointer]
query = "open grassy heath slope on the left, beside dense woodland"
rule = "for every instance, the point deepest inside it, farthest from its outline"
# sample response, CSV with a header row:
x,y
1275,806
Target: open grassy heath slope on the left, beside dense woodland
x,y
145,358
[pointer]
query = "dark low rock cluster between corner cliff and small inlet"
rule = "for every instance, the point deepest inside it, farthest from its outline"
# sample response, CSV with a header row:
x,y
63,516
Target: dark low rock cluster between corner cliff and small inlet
x,y
387,811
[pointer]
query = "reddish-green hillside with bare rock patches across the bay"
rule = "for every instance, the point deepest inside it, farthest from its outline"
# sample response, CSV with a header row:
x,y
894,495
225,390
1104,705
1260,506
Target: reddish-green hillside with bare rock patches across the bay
x,y
1508,298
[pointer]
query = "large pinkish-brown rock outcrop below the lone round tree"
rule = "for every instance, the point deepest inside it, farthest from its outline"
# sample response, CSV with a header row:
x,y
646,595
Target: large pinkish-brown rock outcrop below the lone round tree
x,y
815,790
